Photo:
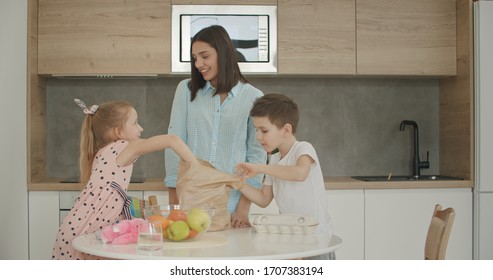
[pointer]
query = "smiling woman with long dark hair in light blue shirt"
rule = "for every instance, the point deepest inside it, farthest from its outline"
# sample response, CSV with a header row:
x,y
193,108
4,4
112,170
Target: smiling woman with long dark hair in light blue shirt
x,y
211,114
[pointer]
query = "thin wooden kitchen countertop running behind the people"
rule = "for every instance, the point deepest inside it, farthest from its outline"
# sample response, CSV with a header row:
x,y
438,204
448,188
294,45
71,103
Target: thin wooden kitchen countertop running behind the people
x,y
331,183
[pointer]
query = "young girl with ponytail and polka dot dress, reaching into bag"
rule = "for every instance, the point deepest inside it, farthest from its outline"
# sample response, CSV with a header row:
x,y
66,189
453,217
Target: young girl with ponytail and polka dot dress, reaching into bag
x,y
110,144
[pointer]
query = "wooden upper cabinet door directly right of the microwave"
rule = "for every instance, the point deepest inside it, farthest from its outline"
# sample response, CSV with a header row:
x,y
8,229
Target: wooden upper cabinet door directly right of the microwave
x,y
316,37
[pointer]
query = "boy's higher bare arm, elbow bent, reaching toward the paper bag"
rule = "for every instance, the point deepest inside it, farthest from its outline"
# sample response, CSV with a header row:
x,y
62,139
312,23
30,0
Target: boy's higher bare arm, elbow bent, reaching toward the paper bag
x,y
297,172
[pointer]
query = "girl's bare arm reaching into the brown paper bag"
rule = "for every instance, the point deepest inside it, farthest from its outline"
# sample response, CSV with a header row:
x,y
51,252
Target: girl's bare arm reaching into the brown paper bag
x,y
156,143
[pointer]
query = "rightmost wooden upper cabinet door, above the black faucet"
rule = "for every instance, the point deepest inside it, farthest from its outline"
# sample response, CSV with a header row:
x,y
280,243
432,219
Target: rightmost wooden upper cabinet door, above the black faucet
x,y
406,37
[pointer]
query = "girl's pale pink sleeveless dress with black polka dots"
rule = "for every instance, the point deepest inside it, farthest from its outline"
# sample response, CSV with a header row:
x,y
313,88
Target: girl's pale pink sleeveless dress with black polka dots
x,y
102,202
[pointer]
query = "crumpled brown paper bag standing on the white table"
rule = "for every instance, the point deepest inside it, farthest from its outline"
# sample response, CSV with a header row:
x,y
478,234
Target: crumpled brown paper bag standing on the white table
x,y
201,185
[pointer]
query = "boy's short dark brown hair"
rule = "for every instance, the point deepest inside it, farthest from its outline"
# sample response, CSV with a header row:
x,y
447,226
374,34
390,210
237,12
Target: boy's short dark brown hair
x,y
279,108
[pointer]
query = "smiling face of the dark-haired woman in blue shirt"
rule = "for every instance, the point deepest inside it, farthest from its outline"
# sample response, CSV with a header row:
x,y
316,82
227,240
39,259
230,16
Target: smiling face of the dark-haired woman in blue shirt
x,y
205,58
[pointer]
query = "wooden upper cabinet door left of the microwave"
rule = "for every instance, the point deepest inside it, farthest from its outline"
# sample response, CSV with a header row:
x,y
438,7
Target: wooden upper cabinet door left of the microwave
x,y
94,37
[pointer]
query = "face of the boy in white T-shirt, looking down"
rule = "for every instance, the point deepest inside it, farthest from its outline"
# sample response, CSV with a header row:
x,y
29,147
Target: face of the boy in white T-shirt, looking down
x,y
268,134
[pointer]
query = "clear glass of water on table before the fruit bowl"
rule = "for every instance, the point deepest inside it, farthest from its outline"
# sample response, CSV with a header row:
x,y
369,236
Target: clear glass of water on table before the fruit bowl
x,y
150,235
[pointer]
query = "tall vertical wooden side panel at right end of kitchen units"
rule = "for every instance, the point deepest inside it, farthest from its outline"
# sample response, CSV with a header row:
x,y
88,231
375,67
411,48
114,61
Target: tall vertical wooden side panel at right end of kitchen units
x,y
457,103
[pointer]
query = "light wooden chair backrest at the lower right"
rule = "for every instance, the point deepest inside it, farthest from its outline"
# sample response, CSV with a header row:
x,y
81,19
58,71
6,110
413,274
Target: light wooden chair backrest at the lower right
x,y
438,233
